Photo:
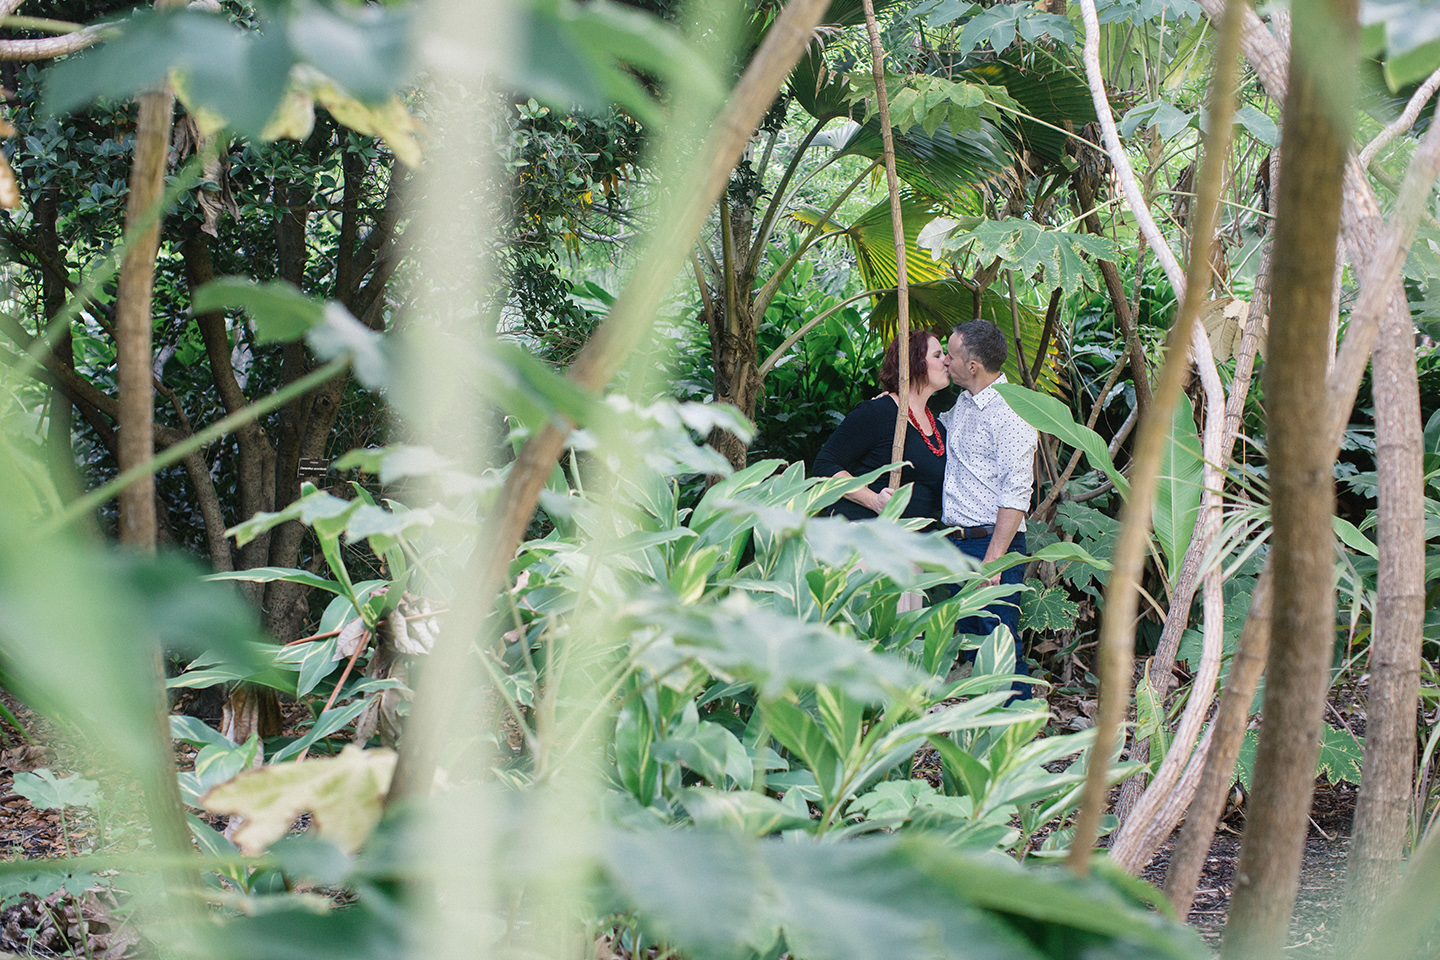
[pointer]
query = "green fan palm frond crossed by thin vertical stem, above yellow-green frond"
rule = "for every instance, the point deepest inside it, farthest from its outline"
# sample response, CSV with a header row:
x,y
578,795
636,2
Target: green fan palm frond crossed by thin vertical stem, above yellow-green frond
x,y
940,165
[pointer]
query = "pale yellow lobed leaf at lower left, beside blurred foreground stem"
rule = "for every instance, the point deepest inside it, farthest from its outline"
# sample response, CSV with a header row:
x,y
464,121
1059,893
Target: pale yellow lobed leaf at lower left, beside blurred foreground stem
x,y
342,794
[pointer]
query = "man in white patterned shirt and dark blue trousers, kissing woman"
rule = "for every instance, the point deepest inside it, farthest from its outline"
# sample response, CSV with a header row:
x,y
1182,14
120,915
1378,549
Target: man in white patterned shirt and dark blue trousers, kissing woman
x,y
989,470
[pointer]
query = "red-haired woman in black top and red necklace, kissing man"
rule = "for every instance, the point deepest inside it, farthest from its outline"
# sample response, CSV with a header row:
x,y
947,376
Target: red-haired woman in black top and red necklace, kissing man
x,y
863,441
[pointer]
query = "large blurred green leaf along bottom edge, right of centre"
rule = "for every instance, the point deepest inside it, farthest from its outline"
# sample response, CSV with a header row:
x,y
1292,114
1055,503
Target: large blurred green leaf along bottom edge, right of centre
x,y
875,899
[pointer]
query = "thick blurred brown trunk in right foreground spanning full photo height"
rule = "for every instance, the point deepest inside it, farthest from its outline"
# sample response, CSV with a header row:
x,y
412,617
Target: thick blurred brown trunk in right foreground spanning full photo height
x,y
1317,132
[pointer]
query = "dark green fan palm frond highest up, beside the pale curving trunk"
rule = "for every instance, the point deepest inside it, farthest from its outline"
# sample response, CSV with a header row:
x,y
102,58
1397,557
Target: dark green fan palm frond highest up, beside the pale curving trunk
x,y
1048,90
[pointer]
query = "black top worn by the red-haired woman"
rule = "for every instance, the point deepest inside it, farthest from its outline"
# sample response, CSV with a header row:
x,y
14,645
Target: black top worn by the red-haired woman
x,y
862,444
